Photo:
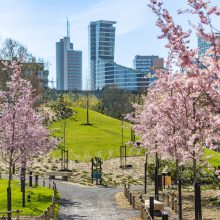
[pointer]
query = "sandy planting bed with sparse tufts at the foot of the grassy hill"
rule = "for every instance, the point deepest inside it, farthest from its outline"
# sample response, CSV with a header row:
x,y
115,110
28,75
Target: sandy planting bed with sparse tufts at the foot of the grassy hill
x,y
112,175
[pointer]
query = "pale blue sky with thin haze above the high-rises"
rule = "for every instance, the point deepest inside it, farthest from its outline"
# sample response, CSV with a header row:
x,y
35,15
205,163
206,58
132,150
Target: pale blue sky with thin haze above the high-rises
x,y
39,24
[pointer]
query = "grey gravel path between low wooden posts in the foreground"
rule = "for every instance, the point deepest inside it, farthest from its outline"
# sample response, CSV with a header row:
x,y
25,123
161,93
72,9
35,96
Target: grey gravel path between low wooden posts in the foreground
x,y
95,203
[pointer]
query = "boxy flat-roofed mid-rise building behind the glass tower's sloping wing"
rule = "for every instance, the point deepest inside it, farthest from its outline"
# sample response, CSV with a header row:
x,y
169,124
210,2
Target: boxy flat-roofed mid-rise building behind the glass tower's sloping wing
x,y
145,64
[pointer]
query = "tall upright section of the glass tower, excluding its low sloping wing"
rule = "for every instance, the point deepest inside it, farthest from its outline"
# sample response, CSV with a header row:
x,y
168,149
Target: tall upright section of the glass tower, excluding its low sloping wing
x,y
101,48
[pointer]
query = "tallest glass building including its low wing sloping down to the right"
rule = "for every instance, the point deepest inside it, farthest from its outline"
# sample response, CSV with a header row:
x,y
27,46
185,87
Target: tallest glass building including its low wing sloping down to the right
x,y
104,71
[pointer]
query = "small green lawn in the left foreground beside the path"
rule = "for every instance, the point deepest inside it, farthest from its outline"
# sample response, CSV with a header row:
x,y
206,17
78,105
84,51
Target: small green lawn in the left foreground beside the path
x,y
40,198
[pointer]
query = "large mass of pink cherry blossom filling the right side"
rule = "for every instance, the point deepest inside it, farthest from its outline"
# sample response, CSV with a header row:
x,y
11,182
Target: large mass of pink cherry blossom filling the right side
x,y
181,112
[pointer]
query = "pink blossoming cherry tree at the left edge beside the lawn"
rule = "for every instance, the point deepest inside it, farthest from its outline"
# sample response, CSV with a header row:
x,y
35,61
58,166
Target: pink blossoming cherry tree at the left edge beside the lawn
x,y
23,135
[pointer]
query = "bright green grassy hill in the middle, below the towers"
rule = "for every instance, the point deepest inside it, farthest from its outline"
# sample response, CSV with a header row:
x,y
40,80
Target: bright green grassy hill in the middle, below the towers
x,y
103,138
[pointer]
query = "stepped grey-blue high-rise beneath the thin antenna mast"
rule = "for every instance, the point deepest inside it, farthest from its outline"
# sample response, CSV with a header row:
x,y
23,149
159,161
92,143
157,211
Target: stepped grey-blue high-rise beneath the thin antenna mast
x,y
68,66
